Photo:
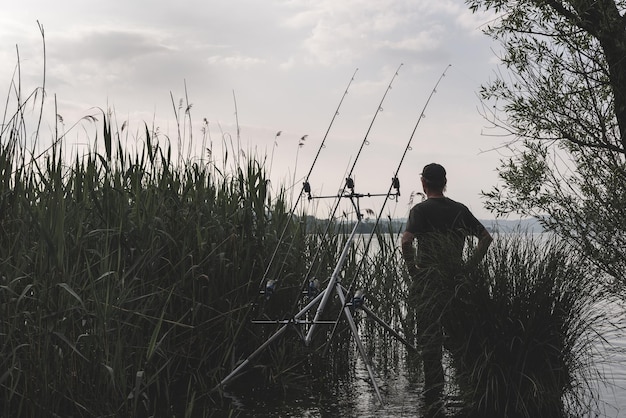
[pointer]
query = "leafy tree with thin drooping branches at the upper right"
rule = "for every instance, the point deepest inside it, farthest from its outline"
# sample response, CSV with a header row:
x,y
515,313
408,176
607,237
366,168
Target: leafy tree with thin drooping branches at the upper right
x,y
560,98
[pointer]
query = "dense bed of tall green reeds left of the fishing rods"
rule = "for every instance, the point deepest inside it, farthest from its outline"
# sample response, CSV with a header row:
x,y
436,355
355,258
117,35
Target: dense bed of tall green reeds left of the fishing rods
x,y
125,278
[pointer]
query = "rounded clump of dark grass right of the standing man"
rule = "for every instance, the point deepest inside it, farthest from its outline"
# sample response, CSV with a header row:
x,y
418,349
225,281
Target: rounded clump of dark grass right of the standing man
x,y
521,329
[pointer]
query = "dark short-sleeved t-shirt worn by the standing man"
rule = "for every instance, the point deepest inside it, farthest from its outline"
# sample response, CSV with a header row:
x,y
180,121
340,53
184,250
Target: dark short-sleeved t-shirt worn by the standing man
x,y
441,226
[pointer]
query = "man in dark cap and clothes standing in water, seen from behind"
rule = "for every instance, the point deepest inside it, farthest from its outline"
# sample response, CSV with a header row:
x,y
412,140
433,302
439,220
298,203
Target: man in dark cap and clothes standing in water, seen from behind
x,y
440,226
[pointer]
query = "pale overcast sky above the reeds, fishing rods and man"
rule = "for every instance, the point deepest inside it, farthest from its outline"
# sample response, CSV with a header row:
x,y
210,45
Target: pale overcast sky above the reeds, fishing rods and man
x,y
286,65
